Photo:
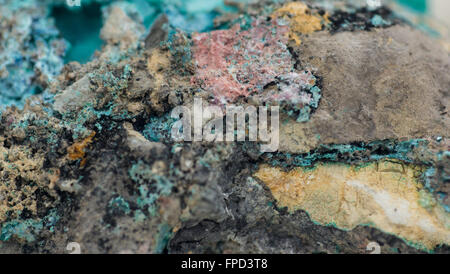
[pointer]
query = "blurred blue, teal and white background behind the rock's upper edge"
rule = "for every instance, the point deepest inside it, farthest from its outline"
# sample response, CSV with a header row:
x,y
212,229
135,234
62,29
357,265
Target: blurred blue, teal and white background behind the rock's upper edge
x,y
37,37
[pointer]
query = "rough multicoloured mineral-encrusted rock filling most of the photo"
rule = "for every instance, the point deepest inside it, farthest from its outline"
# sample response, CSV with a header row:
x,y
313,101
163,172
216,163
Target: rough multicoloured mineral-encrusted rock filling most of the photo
x,y
97,166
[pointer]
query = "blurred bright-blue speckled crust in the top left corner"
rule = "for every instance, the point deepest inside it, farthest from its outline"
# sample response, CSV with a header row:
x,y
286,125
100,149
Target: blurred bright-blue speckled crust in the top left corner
x,y
31,51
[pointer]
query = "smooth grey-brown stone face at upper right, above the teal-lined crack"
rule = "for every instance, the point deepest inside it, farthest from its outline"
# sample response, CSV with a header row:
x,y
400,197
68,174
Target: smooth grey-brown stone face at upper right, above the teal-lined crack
x,y
393,85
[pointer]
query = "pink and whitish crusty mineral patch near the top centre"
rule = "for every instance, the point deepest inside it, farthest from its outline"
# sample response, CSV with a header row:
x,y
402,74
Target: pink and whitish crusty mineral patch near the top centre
x,y
234,62
